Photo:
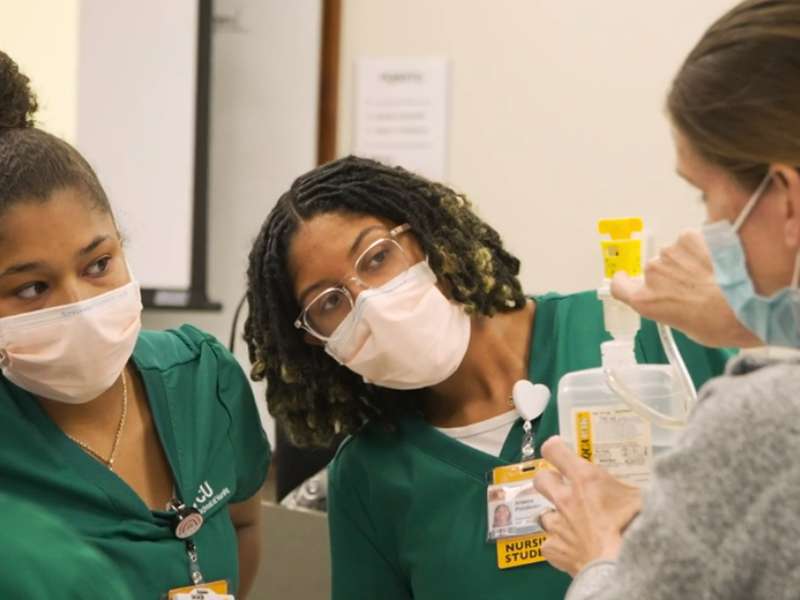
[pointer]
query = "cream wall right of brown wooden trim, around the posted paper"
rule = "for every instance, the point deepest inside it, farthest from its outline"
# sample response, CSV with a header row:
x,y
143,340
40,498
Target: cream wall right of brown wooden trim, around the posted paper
x,y
557,113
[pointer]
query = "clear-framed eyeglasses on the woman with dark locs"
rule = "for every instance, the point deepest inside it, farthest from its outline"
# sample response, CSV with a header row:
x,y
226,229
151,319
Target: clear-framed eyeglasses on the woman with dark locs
x,y
382,261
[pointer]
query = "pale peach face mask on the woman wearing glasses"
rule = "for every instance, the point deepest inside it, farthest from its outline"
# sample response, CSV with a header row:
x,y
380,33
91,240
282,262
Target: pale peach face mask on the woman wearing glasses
x,y
403,335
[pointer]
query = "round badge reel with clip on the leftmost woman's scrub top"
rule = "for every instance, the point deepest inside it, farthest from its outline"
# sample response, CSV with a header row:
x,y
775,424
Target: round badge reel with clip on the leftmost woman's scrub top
x,y
187,521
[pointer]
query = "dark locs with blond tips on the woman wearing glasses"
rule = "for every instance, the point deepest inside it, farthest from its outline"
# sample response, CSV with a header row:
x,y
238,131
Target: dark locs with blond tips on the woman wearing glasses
x,y
310,394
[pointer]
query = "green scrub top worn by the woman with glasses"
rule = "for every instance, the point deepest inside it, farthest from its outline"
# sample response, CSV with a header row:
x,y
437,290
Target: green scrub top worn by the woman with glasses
x,y
407,507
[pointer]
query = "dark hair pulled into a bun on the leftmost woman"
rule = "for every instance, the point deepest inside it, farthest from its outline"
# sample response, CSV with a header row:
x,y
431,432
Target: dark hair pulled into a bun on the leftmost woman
x,y
34,163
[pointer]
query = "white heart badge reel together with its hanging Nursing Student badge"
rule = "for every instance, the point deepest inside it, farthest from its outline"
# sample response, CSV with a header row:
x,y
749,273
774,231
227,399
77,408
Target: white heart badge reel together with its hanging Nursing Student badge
x,y
513,504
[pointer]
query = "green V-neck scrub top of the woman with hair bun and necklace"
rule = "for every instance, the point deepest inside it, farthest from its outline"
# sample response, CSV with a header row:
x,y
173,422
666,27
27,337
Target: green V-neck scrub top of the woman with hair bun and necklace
x,y
205,414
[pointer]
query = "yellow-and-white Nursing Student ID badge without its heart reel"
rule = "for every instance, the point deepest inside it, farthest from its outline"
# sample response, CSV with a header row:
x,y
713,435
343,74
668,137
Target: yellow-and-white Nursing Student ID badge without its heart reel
x,y
513,508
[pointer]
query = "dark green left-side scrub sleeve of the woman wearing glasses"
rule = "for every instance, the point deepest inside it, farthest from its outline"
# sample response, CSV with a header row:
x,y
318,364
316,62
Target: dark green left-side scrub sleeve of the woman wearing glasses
x,y
360,571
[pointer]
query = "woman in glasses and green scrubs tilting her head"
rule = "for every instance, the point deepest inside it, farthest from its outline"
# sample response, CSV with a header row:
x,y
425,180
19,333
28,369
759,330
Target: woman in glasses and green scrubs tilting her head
x,y
381,306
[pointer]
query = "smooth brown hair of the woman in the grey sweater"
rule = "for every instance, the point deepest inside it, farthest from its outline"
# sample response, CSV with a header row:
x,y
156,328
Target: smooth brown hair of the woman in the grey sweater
x,y
736,98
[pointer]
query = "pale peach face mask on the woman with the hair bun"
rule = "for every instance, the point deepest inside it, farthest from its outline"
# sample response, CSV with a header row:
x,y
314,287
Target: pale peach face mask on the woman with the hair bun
x,y
72,353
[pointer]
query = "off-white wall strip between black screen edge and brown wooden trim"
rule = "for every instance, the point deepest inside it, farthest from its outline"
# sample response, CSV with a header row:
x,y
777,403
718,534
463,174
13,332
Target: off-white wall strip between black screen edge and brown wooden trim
x,y
265,74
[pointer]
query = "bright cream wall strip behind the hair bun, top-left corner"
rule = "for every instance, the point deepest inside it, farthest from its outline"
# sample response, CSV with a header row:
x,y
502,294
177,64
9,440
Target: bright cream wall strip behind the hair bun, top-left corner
x,y
42,36
